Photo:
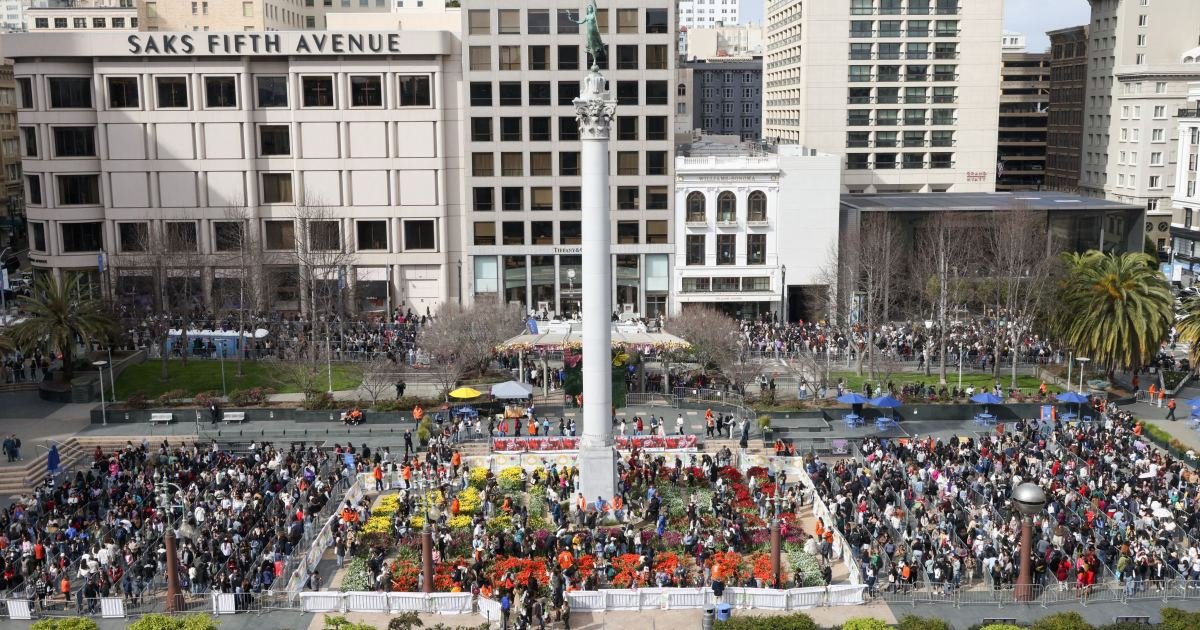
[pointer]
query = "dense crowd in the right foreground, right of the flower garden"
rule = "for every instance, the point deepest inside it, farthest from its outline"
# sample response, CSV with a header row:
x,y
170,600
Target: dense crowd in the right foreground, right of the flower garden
x,y
939,513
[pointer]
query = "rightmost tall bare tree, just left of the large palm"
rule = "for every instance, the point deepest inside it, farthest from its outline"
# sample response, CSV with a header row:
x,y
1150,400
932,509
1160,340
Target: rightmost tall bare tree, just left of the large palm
x,y
1023,263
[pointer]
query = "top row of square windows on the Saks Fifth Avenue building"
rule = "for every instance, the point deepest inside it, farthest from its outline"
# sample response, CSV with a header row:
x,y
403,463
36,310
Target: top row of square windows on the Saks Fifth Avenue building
x,y
221,92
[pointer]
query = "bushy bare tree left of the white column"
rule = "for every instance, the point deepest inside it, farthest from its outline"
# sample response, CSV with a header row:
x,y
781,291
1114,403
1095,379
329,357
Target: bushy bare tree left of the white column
x,y
464,339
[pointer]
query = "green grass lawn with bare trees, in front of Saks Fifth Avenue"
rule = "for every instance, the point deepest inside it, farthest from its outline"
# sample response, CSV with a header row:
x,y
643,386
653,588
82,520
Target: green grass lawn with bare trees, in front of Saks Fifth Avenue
x,y
206,376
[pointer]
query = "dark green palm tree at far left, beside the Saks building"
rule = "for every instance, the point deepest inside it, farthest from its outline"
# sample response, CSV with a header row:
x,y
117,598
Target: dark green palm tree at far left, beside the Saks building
x,y
58,316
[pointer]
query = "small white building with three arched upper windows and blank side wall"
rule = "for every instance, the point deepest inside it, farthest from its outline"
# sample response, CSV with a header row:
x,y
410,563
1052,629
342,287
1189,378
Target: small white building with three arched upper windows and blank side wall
x,y
753,227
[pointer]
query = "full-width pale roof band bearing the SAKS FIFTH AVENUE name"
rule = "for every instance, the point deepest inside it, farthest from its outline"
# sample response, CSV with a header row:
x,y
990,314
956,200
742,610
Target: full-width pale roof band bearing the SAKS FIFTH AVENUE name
x,y
95,45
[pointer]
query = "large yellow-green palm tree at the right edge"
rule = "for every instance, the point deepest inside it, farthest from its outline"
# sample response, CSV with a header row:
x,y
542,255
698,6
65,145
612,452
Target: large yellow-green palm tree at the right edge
x,y
1115,308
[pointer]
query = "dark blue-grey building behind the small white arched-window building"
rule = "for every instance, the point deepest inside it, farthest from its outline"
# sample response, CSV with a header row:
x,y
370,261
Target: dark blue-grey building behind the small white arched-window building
x,y
727,98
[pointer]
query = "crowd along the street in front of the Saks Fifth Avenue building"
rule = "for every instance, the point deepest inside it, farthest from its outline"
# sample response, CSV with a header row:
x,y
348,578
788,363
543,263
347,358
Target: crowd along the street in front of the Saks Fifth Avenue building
x,y
350,339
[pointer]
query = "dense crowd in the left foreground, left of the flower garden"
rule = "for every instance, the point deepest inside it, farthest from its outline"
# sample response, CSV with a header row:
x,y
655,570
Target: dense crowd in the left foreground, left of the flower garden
x,y
100,532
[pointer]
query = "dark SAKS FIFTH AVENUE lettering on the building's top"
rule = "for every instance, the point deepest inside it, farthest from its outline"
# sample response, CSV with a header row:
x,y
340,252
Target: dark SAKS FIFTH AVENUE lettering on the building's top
x,y
238,44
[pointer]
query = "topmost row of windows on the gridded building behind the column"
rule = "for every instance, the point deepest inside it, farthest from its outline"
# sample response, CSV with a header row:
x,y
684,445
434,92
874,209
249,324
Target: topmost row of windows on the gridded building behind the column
x,y
538,21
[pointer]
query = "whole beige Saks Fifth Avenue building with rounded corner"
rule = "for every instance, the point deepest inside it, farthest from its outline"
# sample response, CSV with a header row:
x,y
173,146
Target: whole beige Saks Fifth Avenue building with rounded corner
x,y
244,167
